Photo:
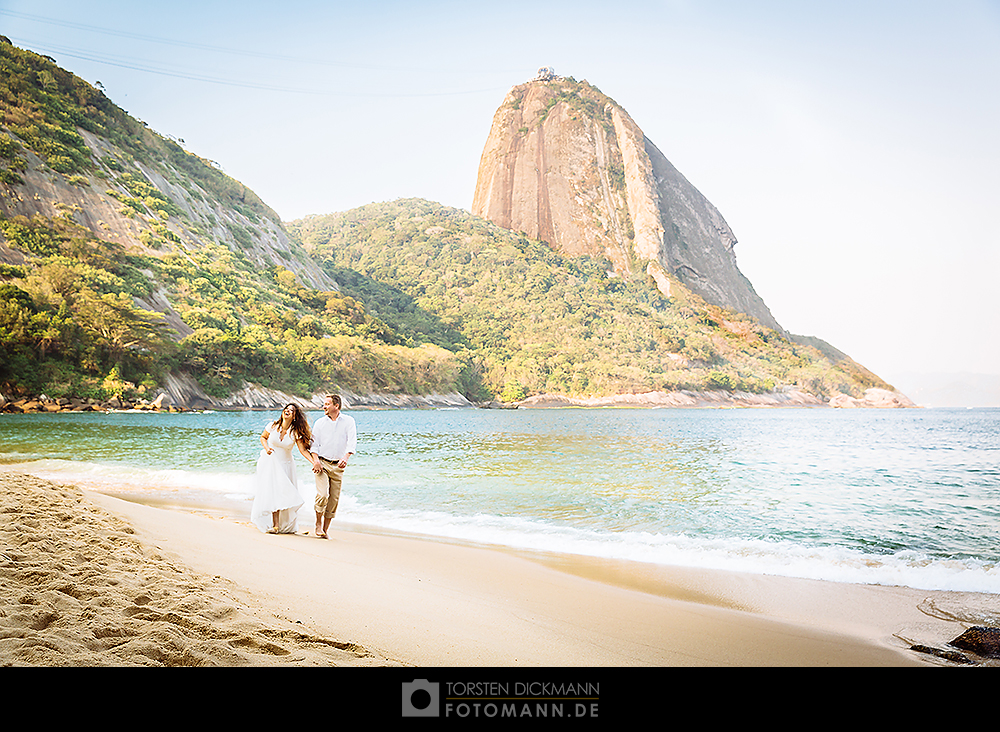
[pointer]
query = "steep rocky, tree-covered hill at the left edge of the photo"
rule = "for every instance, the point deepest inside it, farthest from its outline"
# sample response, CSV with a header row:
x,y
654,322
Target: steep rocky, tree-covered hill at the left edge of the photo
x,y
127,262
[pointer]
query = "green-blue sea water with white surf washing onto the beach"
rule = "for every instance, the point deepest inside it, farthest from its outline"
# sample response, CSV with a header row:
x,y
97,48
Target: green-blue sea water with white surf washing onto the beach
x,y
892,497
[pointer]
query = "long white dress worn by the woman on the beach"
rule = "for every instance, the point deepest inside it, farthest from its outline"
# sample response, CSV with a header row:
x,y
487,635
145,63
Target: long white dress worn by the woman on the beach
x,y
275,486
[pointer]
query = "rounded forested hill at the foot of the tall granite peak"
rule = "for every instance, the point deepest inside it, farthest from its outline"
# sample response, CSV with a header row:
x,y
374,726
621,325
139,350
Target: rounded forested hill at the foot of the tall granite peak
x,y
533,321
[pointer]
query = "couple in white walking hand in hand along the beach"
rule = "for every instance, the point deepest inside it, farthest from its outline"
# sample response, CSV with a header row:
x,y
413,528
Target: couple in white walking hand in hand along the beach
x,y
328,446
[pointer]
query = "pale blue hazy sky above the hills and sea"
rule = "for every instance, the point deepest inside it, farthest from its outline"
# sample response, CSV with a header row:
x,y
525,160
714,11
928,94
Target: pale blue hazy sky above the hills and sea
x,y
853,147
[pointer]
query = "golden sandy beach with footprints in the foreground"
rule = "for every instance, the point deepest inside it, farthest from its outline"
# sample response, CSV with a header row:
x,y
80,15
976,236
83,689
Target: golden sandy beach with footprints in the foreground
x,y
93,580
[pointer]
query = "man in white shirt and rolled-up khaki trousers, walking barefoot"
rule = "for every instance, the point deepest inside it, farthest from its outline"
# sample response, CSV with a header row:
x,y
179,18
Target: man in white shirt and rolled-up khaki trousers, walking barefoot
x,y
334,441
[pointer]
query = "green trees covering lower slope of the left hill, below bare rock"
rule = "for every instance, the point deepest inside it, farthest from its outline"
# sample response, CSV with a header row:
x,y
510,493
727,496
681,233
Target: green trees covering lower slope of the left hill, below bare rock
x,y
70,324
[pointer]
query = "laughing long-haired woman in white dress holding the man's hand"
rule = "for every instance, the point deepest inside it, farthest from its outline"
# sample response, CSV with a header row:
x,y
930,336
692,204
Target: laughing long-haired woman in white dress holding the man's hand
x,y
276,494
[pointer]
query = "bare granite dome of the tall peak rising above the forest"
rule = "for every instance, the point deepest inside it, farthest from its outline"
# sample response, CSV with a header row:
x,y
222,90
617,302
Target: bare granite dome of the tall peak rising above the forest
x,y
565,164
